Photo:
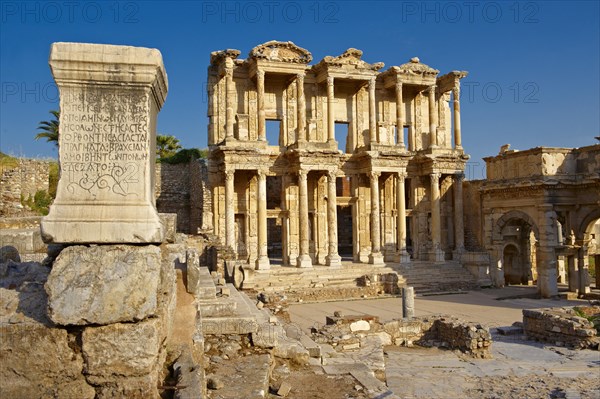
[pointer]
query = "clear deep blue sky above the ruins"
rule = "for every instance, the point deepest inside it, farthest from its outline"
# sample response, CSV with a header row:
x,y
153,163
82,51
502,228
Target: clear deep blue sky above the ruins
x,y
534,67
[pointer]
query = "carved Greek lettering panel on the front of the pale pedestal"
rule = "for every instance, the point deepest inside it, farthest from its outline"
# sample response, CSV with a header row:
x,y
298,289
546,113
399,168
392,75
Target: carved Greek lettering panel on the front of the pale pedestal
x,y
104,140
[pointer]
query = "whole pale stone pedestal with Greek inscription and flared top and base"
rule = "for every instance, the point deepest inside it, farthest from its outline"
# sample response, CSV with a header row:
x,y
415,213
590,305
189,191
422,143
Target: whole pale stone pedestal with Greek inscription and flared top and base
x,y
109,99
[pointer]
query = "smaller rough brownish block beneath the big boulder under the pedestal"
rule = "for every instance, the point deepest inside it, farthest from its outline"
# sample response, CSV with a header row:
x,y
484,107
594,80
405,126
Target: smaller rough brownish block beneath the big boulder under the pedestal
x,y
121,350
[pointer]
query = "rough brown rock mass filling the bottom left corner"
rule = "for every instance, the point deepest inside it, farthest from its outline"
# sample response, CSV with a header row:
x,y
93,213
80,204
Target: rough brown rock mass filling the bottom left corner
x,y
37,360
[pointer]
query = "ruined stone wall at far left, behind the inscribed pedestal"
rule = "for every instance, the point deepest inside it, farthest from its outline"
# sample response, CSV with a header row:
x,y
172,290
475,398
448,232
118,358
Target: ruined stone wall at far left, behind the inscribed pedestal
x,y
24,180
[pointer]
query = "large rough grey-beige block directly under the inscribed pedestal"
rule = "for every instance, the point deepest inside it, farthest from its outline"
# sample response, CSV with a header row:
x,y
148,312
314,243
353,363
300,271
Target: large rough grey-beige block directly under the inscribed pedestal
x,y
103,284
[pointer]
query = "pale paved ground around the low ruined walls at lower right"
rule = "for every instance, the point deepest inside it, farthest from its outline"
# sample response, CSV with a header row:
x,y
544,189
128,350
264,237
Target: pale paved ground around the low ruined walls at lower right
x,y
519,368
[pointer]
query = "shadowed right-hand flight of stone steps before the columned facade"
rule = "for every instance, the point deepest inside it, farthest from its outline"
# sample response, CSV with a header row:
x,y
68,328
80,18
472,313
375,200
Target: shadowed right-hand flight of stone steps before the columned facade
x,y
430,278
